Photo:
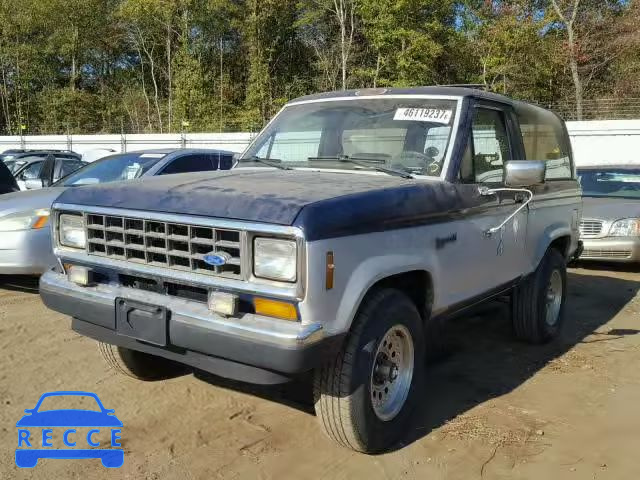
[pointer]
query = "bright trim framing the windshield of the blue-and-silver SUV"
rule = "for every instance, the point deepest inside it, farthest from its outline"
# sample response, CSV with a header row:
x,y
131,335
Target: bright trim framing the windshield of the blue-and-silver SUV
x,y
452,140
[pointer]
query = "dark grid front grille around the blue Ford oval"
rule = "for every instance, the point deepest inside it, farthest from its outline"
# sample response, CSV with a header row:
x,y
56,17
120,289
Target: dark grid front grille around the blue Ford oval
x,y
163,244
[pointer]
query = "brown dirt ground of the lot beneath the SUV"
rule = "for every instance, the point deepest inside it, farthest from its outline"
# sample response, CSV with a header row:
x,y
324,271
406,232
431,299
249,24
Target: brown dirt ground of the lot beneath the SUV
x,y
495,408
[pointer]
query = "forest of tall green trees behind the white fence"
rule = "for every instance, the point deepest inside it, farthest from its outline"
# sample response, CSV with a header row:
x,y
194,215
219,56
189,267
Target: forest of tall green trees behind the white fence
x,y
159,66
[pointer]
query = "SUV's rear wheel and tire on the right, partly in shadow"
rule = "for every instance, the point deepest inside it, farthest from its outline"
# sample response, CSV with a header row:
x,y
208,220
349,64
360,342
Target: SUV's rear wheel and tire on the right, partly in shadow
x,y
538,302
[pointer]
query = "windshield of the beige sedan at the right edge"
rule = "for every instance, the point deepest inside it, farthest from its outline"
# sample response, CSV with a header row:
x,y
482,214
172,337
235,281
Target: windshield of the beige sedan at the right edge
x,y
619,183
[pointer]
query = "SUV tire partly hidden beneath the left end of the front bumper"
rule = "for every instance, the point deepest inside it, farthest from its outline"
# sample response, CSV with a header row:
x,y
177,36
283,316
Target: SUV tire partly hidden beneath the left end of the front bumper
x,y
139,365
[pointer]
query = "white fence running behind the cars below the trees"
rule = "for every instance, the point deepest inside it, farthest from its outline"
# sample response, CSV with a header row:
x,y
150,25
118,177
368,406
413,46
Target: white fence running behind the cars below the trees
x,y
594,142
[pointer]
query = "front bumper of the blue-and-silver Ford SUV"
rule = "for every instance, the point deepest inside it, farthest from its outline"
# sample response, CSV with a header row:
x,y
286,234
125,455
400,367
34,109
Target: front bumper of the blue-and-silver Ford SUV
x,y
251,348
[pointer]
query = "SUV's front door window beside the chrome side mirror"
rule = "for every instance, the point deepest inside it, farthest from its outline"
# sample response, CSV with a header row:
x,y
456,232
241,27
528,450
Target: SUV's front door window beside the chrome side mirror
x,y
491,148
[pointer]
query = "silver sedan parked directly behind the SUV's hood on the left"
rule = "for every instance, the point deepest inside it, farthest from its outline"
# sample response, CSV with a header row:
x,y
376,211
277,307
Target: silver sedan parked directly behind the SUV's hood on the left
x,y
25,239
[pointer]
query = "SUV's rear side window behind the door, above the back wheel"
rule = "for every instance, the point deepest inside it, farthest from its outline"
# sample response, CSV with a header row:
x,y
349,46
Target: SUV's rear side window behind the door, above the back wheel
x,y
544,138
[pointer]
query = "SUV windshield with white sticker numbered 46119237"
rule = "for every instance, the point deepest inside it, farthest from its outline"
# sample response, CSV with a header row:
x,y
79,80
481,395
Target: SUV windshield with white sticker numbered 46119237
x,y
410,135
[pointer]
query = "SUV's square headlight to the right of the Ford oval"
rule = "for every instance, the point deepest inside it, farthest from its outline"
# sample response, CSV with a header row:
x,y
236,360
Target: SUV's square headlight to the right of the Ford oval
x,y
275,259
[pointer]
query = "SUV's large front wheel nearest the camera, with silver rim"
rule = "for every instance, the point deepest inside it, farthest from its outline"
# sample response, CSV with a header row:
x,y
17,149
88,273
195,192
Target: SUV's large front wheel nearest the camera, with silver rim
x,y
365,397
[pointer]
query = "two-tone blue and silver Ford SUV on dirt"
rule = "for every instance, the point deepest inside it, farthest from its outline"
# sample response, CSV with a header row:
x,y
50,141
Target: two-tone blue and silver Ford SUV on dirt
x,y
350,228
